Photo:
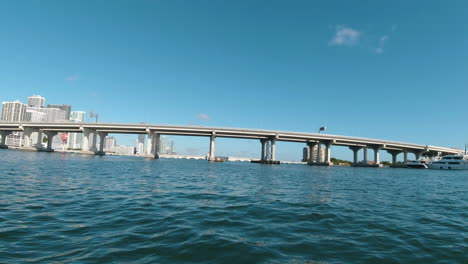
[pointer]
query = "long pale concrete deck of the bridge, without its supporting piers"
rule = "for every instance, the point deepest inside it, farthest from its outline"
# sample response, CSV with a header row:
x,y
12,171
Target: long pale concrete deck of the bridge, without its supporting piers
x,y
225,133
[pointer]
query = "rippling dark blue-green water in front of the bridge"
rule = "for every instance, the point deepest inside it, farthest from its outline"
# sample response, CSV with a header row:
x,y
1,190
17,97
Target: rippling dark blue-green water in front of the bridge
x,y
83,209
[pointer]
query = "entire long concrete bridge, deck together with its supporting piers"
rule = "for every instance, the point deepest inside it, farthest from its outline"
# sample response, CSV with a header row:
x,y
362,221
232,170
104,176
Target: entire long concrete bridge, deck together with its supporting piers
x,y
268,138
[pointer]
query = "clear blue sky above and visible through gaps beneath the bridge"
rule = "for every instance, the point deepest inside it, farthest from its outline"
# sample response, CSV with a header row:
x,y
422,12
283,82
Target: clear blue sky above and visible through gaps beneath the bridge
x,y
395,70
